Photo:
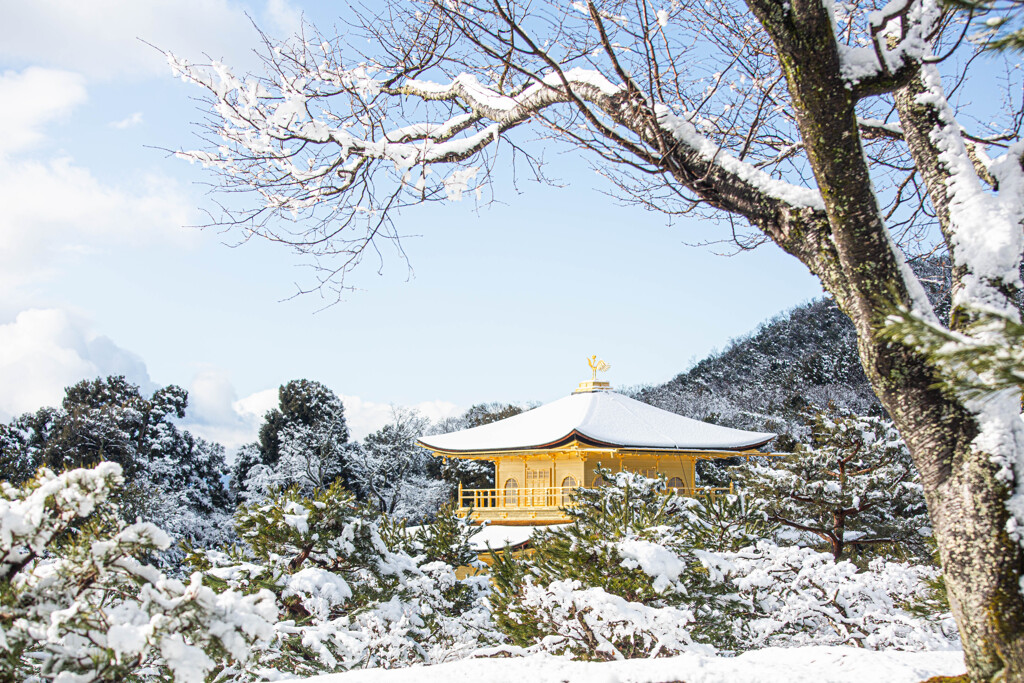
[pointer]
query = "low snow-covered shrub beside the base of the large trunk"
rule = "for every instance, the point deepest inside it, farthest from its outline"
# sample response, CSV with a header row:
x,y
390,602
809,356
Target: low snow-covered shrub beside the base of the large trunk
x,y
798,596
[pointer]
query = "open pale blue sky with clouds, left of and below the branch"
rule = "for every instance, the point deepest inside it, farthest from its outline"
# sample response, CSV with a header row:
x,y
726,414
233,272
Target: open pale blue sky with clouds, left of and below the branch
x,y
103,275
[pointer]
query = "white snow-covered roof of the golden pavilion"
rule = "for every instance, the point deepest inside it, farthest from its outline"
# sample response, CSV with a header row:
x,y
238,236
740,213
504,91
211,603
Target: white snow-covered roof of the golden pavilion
x,y
598,418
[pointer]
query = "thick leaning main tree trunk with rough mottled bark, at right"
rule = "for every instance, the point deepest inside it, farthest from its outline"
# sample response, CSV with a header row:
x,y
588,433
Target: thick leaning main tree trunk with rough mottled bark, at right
x,y
966,497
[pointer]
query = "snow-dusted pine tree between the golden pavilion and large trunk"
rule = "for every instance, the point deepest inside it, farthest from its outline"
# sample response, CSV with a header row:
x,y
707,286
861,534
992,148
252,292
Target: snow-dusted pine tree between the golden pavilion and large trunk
x,y
851,485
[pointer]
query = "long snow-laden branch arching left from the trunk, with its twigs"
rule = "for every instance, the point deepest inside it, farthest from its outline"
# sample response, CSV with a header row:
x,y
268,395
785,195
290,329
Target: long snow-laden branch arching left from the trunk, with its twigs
x,y
330,148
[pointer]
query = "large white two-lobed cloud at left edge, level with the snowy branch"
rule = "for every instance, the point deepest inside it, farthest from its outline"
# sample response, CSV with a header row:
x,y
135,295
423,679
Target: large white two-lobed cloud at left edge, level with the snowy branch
x,y
56,210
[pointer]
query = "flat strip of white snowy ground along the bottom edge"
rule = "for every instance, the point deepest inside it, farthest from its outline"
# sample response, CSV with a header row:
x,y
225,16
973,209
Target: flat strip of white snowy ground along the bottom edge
x,y
799,665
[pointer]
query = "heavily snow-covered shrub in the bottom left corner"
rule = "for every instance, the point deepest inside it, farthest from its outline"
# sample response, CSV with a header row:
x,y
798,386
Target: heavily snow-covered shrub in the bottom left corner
x,y
78,604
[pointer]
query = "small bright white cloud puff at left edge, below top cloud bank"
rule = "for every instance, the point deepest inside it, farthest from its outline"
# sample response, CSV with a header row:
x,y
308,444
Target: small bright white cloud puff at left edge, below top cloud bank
x,y
33,99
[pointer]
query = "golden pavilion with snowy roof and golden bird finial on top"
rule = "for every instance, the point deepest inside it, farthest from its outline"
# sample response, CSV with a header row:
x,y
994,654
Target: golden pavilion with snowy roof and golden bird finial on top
x,y
542,455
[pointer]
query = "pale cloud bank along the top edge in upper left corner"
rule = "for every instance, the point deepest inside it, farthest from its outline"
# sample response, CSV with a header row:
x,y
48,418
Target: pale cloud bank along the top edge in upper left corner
x,y
105,38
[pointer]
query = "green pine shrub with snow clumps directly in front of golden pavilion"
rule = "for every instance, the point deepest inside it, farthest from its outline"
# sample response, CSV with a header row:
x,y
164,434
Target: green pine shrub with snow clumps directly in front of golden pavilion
x,y
627,578
